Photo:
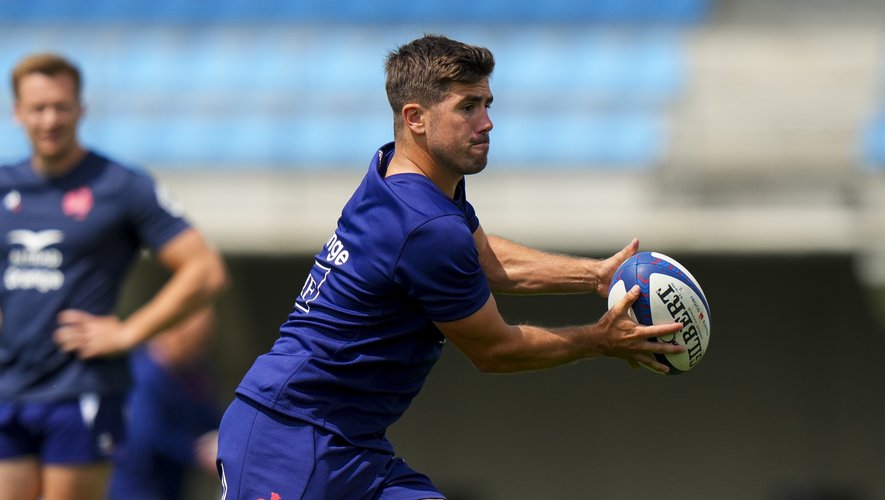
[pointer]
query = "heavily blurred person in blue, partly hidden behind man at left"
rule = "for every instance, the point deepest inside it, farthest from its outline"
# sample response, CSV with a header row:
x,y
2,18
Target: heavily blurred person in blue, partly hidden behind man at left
x,y
172,416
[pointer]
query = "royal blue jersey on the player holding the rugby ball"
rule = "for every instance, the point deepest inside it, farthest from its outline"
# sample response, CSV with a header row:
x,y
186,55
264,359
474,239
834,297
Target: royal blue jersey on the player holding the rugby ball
x,y
360,340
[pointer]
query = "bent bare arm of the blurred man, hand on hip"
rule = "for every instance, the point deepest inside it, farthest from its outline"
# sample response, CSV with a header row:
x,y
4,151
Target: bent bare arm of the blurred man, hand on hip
x,y
198,275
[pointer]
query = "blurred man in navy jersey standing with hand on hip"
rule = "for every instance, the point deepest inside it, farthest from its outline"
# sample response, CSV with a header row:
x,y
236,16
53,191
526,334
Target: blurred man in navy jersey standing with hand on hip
x,y
73,222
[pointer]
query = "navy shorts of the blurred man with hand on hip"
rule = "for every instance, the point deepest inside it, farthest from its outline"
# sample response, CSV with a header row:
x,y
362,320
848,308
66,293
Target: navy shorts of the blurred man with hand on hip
x,y
72,432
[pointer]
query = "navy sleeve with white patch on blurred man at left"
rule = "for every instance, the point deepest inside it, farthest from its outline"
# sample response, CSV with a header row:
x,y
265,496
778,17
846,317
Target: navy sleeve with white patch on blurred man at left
x,y
155,215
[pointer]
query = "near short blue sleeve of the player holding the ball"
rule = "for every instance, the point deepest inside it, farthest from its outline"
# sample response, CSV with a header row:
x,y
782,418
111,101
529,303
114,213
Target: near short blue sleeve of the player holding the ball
x,y
439,267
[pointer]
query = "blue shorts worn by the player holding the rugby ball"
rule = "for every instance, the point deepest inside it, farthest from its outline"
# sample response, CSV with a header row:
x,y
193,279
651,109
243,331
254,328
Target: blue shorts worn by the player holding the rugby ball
x,y
268,456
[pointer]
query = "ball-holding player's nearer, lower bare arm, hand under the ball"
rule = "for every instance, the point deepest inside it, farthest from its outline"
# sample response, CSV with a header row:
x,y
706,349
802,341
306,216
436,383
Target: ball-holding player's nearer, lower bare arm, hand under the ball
x,y
494,346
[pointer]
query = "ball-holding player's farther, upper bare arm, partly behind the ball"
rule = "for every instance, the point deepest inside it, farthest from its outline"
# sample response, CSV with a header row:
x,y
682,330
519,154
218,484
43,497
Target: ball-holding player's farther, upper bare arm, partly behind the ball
x,y
514,268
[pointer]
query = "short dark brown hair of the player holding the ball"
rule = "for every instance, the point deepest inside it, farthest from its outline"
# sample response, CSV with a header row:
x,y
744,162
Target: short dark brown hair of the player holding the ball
x,y
422,70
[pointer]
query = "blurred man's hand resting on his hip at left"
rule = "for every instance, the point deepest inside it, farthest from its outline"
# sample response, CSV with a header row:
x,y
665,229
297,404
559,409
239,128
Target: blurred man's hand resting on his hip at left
x,y
91,336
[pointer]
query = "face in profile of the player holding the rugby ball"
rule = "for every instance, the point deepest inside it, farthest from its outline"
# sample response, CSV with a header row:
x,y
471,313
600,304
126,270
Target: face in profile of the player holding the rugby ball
x,y
459,126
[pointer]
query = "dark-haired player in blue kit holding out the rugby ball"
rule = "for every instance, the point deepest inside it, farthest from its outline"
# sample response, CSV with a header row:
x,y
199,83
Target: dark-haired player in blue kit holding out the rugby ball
x,y
407,269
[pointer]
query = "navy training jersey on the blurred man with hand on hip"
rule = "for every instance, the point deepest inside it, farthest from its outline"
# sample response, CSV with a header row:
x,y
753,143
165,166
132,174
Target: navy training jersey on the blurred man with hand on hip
x,y
67,243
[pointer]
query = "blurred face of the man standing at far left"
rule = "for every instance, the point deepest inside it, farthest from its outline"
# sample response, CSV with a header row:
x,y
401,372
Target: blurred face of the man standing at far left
x,y
49,109
